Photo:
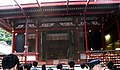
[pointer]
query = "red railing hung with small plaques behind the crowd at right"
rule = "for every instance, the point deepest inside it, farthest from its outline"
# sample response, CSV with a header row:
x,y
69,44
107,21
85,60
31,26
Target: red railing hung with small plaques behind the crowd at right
x,y
105,56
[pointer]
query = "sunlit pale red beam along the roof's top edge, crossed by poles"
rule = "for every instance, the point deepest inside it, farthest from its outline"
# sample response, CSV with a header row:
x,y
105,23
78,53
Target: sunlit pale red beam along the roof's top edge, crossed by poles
x,y
44,4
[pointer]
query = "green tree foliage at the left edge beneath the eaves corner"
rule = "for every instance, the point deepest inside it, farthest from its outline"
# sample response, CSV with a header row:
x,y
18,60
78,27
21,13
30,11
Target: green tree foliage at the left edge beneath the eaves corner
x,y
5,36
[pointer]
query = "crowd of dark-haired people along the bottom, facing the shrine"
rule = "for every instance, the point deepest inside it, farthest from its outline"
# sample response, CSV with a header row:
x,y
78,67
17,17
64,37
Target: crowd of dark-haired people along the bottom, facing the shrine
x,y
11,62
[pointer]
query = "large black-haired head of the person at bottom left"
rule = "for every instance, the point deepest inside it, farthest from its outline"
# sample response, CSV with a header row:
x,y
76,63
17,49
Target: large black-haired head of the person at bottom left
x,y
10,62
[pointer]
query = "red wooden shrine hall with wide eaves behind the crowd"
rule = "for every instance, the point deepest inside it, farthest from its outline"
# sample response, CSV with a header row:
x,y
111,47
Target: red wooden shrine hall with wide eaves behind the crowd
x,y
63,29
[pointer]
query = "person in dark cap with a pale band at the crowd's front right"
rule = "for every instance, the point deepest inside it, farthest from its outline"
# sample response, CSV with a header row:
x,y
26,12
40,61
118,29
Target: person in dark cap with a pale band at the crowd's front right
x,y
95,64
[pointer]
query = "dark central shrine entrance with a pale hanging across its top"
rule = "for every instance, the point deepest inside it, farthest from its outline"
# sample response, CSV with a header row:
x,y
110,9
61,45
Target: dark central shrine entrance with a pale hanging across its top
x,y
56,45
